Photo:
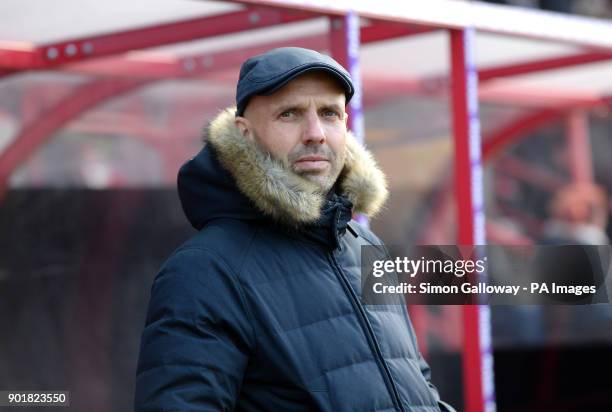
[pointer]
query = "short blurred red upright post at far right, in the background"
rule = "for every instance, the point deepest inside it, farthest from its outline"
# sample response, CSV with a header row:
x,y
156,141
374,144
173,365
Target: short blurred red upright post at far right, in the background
x,y
579,146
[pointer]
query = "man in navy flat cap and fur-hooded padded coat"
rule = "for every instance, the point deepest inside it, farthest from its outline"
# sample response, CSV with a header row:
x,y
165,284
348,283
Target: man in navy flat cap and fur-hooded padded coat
x,y
261,310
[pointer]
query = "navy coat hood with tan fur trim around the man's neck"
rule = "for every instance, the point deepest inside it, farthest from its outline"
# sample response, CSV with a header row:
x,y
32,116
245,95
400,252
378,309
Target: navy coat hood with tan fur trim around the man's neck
x,y
266,183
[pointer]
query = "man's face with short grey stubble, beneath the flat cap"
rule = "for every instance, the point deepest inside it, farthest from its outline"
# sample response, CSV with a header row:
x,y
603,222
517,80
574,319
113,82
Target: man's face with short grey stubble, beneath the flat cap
x,y
303,125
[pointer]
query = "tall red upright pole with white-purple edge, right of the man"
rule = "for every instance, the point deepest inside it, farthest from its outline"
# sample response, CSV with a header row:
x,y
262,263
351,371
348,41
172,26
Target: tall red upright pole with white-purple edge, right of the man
x,y
470,216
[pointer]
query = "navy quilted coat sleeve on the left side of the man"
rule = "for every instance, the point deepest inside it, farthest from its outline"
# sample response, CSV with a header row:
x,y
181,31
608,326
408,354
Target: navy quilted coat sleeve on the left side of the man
x,y
197,338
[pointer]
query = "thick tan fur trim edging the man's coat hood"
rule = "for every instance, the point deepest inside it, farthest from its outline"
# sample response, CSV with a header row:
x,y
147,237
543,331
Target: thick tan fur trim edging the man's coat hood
x,y
285,196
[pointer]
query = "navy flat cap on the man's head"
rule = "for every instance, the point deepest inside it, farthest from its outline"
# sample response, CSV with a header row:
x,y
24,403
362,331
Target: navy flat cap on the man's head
x,y
266,73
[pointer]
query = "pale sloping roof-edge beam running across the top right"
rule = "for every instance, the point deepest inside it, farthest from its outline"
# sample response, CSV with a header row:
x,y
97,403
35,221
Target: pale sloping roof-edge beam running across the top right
x,y
457,14
